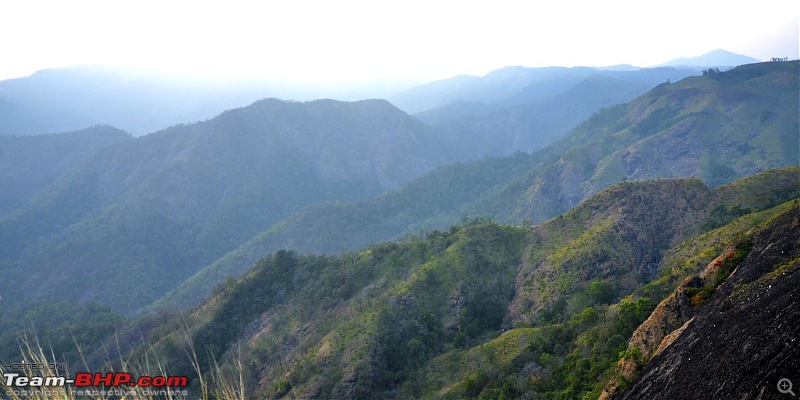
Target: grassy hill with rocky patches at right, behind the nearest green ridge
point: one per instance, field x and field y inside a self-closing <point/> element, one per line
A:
<point x="717" y="128"/>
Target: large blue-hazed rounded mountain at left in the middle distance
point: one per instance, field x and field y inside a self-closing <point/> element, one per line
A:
<point x="132" y="220"/>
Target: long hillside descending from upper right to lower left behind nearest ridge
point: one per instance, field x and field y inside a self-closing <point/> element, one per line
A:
<point x="716" y="127"/>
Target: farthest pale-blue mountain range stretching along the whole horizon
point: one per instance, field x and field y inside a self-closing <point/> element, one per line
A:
<point x="141" y="102"/>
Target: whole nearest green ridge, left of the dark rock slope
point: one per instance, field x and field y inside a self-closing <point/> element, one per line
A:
<point x="481" y="310"/>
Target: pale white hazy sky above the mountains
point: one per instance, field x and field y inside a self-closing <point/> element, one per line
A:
<point x="354" y="40"/>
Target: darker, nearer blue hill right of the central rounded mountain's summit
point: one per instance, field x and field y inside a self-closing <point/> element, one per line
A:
<point x="540" y="113"/>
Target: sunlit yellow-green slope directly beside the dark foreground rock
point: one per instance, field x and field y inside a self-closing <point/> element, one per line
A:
<point x="572" y="357"/>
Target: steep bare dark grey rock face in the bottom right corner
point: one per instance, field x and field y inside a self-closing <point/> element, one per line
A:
<point x="742" y="340"/>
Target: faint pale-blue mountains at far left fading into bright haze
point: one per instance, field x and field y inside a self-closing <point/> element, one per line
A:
<point x="140" y="101"/>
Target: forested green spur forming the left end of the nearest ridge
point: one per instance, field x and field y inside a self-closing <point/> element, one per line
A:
<point x="354" y="325"/>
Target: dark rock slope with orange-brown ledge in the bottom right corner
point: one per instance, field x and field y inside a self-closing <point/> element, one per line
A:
<point x="745" y="306"/>
